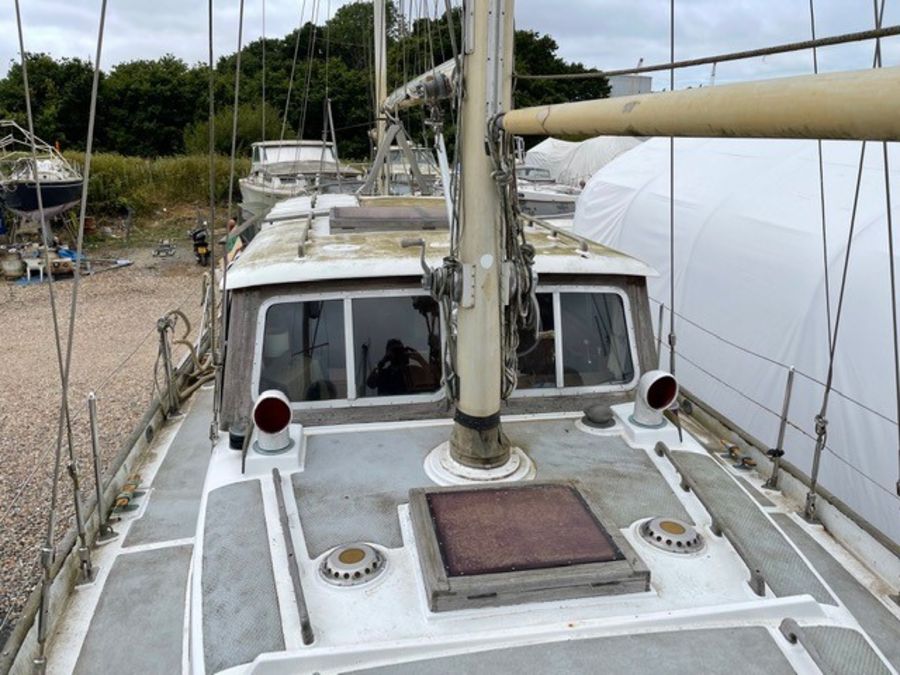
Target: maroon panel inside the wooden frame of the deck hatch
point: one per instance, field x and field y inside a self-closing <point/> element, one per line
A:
<point x="524" y="527"/>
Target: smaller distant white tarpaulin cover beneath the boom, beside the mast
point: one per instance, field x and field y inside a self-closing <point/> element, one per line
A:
<point x="574" y="163"/>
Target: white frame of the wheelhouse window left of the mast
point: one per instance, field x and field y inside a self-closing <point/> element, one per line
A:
<point x="347" y="298"/>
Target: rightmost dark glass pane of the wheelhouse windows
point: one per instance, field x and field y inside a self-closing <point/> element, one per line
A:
<point x="595" y="340"/>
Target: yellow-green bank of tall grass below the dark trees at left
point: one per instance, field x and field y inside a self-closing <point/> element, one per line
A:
<point x="147" y="185"/>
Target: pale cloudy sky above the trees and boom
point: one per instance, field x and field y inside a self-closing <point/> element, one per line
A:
<point x="599" y="33"/>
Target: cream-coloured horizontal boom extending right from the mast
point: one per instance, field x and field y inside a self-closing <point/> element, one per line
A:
<point x="858" y="105"/>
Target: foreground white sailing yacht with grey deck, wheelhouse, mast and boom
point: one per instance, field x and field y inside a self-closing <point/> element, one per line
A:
<point x="449" y="450"/>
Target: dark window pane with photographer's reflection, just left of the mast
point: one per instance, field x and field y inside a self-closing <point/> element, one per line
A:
<point x="398" y="346"/>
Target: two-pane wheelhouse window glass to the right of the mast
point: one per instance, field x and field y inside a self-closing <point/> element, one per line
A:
<point x="583" y="342"/>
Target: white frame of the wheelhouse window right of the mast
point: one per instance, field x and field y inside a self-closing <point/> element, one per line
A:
<point x="560" y="389"/>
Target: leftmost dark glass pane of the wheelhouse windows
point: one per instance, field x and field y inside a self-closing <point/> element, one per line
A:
<point x="303" y="350"/>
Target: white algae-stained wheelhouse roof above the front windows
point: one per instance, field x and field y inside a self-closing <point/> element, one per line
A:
<point x="274" y="255"/>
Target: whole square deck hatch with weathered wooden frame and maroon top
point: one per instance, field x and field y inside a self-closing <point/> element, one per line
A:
<point x="488" y="546"/>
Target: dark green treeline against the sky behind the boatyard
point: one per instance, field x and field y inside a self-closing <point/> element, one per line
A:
<point x="157" y="108"/>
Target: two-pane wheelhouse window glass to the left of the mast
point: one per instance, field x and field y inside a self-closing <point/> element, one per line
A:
<point x="352" y="348"/>
